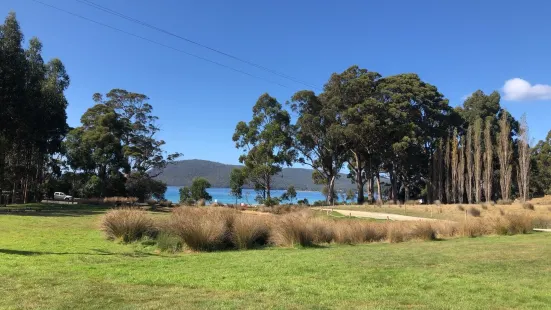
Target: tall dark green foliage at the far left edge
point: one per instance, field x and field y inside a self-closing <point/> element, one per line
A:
<point x="32" y="113"/>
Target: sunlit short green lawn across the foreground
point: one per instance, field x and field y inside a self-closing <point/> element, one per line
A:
<point x="60" y="260"/>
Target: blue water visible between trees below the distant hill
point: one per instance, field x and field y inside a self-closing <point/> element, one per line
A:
<point x="222" y="195"/>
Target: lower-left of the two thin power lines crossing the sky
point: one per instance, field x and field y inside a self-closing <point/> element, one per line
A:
<point x="160" y="44"/>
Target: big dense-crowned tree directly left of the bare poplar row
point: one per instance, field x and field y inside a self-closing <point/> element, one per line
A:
<point x="417" y="116"/>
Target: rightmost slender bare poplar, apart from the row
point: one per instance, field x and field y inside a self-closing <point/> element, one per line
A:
<point x="524" y="158"/>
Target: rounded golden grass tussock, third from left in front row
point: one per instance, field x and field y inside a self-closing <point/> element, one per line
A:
<point x="291" y="230"/>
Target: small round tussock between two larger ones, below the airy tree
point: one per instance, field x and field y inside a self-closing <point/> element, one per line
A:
<point x="249" y="231"/>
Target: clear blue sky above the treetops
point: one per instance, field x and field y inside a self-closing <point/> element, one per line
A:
<point x="459" y="46"/>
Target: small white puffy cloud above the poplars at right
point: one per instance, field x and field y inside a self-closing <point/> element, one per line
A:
<point x="520" y="90"/>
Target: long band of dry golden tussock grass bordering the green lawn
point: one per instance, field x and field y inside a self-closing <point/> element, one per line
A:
<point x="215" y="228"/>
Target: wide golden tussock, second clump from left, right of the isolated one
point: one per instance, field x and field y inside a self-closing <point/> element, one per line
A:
<point x="203" y="229"/>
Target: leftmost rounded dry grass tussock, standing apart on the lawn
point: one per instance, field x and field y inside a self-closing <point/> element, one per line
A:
<point x="127" y="224"/>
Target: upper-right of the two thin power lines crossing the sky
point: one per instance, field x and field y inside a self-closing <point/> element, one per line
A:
<point x="137" y="21"/>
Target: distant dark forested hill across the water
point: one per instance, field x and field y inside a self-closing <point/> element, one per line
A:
<point x="182" y="173"/>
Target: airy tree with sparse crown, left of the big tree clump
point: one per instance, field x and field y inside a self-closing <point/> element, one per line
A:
<point x="267" y="144"/>
